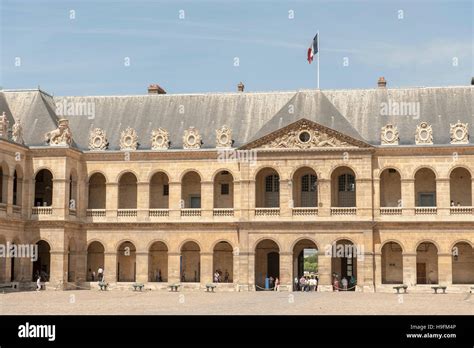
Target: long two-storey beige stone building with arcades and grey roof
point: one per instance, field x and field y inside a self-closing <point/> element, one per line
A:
<point x="163" y="189"/>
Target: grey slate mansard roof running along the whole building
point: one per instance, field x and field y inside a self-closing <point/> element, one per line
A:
<point x="356" y="113"/>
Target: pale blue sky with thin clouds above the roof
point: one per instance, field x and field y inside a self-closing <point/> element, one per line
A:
<point x="87" y="55"/>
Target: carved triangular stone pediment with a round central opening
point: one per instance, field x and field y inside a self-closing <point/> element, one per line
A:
<point x="305" y="134"/>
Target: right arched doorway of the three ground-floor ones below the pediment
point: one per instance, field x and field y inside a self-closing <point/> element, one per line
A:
<point x="344" y="263"/>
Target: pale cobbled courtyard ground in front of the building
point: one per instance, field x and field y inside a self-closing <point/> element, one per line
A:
<point x="199" y="302"/>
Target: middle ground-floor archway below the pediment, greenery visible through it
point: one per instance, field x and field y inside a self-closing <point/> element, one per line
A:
<point x="305" y="260"/>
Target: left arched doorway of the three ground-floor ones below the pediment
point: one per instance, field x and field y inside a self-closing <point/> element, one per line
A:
<point x="267" y="263"/>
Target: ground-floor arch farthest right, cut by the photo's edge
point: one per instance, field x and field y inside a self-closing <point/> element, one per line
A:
<point x="463" y="263"/>
